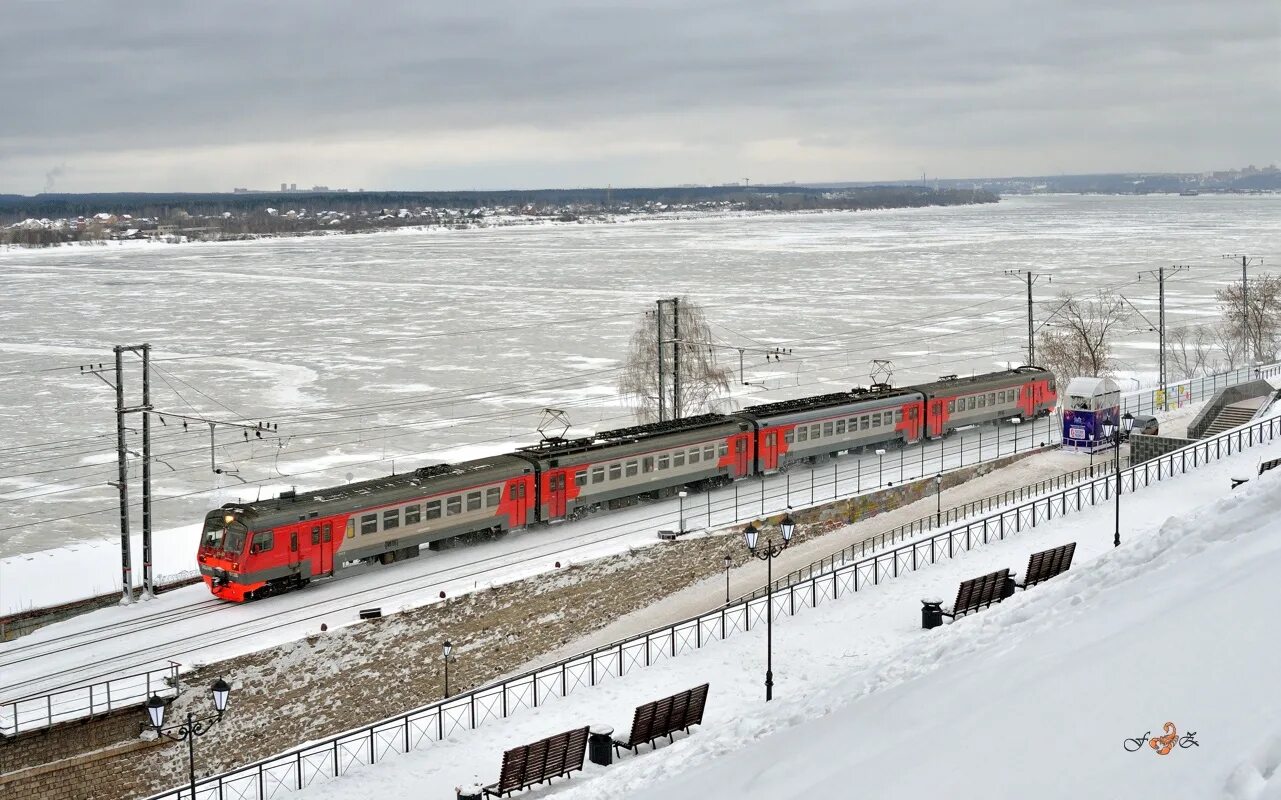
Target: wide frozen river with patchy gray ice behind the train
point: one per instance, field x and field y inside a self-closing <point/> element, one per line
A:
<point x="428" y="346"/>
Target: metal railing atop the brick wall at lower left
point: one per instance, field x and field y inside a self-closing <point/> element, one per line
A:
<point x="37" y="712"/>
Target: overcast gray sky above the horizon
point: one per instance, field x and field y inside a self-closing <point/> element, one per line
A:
<point x="179" y="95"/>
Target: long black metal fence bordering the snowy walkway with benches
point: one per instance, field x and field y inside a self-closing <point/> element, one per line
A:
<point x="314" y="764"/>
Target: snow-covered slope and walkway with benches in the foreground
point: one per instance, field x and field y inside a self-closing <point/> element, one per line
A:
<point x="1036" y="697"/>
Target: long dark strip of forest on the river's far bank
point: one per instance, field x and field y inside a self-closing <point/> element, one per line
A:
<point x="163" y="207"/>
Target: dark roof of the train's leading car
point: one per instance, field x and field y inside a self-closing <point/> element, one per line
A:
<point x="432" y="479"/>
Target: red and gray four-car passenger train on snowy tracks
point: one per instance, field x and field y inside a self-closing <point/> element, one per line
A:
<point x="254" y="550"/>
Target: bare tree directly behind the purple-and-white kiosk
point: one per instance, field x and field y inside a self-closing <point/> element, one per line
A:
<point x="1078" y="339"/>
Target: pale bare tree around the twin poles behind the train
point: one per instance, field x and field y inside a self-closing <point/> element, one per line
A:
<point x="703" y="381"/>
